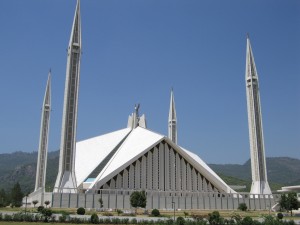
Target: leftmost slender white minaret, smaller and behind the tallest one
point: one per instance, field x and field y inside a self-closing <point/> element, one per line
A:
<point x="44" y="134"/>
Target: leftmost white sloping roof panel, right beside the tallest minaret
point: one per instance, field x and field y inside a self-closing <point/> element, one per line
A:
<point x="91" y="152"/>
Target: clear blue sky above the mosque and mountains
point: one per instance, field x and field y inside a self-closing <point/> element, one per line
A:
<point x="135" y="51"/>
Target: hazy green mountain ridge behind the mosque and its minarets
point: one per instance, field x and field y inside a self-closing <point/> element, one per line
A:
<point x="21" y="167"/>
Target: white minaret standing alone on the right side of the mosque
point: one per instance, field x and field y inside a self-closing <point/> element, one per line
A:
<point x="258" y="160"/>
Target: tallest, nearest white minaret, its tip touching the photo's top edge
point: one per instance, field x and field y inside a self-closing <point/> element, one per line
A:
<point x="66" y="180"/>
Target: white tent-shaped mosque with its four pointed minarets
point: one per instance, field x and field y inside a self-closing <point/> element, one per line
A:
<point x="136" y="158"/>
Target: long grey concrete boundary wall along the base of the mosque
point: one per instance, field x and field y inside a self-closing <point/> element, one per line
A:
<point x="119" y="199"/>
